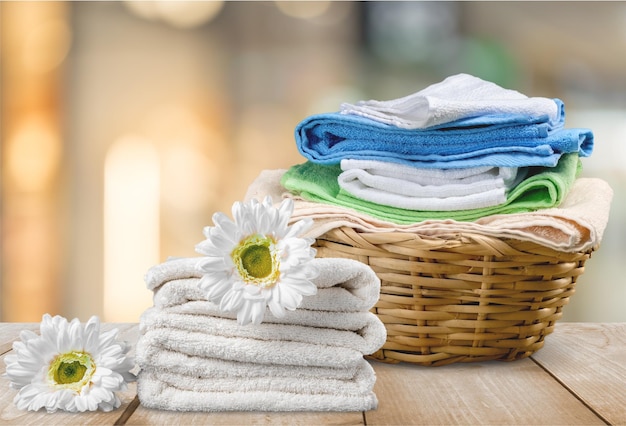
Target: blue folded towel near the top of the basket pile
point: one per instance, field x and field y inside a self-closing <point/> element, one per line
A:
<point x="491" y="140"/>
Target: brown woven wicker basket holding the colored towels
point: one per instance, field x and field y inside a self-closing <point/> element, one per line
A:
<point x="462" y="297"/>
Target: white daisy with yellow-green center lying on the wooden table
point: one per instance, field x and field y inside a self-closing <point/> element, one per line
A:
<point x="68" y="367"/>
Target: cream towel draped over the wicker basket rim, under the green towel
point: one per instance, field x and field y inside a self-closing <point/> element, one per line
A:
<point x="576" y="225"/>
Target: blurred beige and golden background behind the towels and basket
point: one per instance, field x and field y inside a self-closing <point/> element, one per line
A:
<point x="126" y="125"/>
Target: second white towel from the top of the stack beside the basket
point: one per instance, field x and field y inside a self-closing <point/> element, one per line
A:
<point x="366" y="340"/>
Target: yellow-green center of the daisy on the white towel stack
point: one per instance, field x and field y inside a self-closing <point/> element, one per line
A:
<point x="255" y="261"/>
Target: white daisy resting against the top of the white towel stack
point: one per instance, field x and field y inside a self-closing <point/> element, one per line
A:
<point x="257" y="261"/>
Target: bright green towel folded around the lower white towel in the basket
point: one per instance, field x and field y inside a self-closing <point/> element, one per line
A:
<point x="544" y="187"/>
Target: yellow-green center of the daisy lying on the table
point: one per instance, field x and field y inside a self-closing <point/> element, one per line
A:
<point x="71" y="370"/>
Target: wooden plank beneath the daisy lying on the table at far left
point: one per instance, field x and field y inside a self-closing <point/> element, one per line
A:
<point x="10" y="415"/>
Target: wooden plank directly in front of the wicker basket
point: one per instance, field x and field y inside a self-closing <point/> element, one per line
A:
<point x="518" y="392"/>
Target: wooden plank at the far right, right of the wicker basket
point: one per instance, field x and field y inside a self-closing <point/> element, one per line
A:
<point x="590" y="360"/>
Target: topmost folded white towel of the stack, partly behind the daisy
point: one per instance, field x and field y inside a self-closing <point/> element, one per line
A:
<point x="343" y="284"/>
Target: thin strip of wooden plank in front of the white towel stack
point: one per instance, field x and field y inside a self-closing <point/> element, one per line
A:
<point x="147" y="416"/>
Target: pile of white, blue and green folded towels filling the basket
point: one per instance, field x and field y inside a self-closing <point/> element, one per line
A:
<point x="462" y="149"/>
